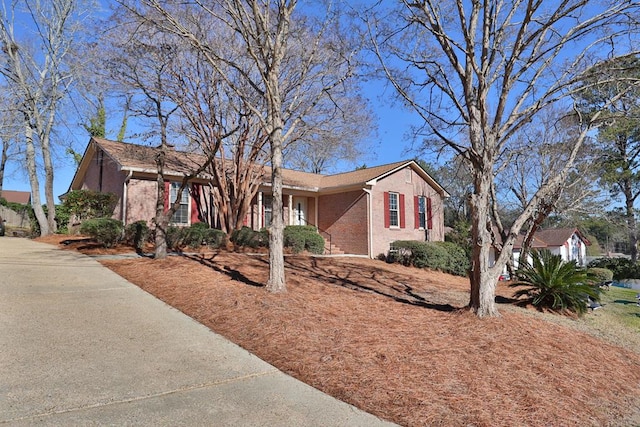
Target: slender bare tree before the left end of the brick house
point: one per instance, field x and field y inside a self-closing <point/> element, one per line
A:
<point x="146" y="63"/>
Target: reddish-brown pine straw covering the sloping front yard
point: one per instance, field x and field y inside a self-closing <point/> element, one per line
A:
<point x="397" y="341"/>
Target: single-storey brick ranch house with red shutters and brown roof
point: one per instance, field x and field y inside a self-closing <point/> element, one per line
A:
<point x="362" y="211"/>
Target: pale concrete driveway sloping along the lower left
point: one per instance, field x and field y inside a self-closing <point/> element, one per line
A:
<point x="81" y="346"/>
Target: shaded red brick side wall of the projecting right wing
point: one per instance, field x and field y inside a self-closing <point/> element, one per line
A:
<point x="344" y="216"/>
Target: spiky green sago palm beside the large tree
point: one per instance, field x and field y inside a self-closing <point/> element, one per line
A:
<point x="552" y="283"/>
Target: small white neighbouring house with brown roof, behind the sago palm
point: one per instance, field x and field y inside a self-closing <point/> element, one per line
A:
<point x="569" y="243"/>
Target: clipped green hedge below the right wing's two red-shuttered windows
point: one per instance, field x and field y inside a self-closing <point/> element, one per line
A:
<point x="444" y="256"/>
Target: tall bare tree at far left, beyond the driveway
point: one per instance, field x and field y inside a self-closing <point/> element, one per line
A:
<point x="38" y="78"/>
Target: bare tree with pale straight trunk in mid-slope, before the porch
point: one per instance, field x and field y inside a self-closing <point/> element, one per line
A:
<point x="283" y="62"/>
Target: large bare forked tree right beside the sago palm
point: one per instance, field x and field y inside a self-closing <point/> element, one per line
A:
<point x="477" y="72"/>
